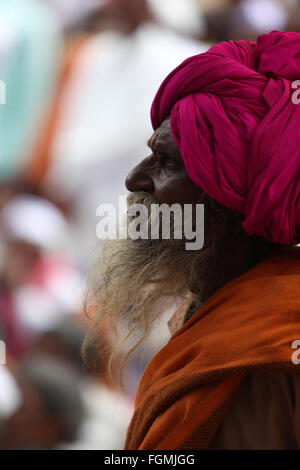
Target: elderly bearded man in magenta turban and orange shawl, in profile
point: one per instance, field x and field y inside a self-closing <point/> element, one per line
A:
<point x="226" y="136"/>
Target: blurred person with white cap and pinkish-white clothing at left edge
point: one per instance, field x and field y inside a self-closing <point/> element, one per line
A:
<point x="38" y="282"/>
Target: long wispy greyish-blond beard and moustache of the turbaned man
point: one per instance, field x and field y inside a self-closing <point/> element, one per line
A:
<point x="137" y="279"/>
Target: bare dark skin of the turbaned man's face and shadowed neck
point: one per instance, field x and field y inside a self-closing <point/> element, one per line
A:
<point x="162" y="175"/>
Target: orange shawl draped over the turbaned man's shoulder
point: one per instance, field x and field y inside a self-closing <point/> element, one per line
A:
<point x="250" y="323"/>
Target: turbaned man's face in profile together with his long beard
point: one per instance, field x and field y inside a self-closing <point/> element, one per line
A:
<point x="137" y="279"/>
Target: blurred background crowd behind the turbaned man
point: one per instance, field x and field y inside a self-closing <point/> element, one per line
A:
<point x="77" y="81"/>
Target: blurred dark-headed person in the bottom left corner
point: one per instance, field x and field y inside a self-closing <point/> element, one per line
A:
<point x="50" y="410"/>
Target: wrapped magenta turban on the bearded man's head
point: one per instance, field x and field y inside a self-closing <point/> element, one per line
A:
<point x="238" y="129"/>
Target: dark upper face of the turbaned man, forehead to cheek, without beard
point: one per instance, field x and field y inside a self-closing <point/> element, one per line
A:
<point x="163" y="174"/>
